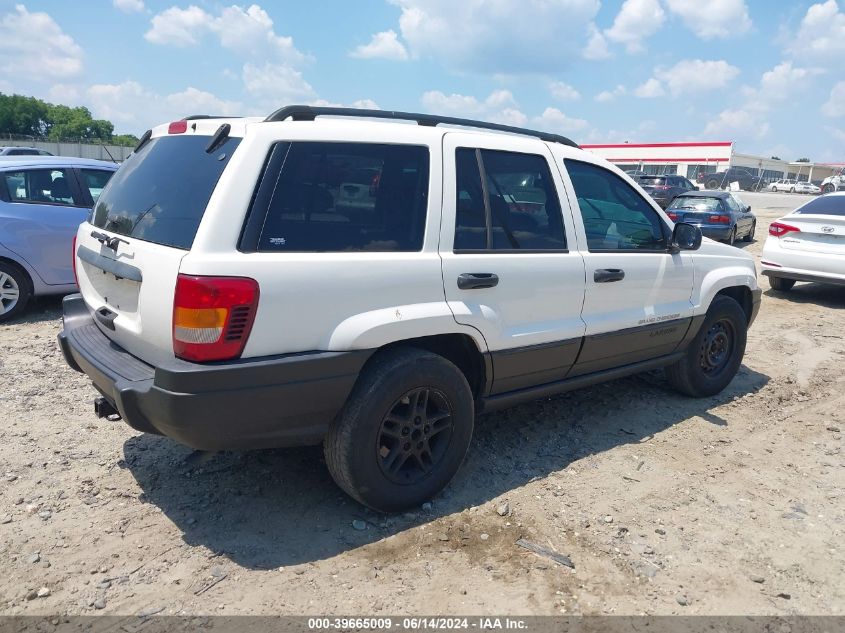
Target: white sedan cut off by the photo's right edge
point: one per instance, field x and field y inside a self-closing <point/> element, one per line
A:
<point x="808" y="244"/>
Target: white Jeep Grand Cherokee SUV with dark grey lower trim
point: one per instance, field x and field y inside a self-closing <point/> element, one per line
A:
<point x="372" y="286"/>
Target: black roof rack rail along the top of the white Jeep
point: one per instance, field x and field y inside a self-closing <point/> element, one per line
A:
<point x="309" y="113"/>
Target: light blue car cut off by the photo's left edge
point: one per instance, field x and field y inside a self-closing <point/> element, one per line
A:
<point x="43" y="200"/>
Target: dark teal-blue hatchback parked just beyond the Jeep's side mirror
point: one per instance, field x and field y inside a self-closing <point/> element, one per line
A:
<point x="716" y="213"/>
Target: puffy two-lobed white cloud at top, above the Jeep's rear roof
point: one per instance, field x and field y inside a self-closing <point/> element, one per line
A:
<point x="248" y="32"/>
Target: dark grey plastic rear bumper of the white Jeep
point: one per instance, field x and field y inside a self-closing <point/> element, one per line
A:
<point x="286" y="400"/>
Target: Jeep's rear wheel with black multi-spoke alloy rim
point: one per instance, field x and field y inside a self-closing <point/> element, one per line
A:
<point x="403" y="432"/>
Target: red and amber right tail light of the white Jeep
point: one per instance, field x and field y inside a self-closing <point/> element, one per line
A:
<point x="213" y="316"/>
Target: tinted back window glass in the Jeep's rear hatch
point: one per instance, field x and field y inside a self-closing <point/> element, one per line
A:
<point x="160" y="193"/>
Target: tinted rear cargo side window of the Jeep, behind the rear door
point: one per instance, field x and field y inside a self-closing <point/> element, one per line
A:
<point x="341" y="197"/>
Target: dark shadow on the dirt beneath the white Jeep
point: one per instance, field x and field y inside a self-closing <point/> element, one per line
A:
<point x="266" y="509"/>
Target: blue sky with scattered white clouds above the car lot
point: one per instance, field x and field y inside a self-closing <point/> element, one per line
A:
<point x="766" y="74"/>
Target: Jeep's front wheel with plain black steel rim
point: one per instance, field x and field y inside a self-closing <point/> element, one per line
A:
<point x="715" y="354"/>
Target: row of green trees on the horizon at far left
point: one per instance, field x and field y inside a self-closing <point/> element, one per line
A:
<point x="28" y="116"/>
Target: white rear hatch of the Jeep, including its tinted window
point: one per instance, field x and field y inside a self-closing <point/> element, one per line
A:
<point x="129" y="252"/>
